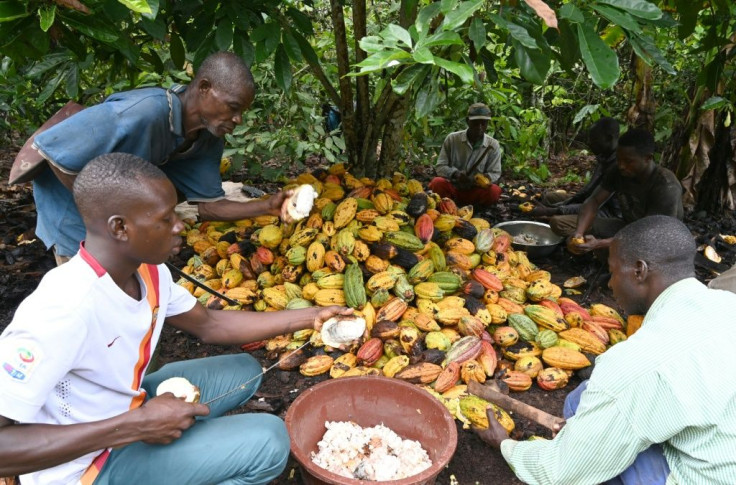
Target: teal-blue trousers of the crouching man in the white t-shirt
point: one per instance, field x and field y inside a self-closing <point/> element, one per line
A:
<point x="238" y="449"/>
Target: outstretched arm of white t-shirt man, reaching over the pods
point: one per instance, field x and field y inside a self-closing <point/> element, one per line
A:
<point x="228" y="327"/>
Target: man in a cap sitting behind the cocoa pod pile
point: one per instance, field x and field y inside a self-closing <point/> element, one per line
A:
<point x="469" y="163"/>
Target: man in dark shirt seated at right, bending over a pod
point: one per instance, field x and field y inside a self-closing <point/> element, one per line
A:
<point x="643" y="189"/>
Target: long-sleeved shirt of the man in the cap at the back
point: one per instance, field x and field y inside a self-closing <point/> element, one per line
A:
<point x="458" y="154"/>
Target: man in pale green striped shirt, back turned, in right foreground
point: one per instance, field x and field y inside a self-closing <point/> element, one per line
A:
<point x="660" y="388"/>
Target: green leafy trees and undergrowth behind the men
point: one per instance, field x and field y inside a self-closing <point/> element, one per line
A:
<point x="402" y="73"/>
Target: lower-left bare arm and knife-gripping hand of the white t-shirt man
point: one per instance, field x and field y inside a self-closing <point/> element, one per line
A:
<point x="27" y="448"/>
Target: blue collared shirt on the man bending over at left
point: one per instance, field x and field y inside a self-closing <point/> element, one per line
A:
<point x="144" y="122"/>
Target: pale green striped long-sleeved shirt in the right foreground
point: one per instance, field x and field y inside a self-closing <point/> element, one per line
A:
<point x="672" y="382"/>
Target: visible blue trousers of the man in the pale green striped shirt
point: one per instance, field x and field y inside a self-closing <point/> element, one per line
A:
<point x="650" y="466"/>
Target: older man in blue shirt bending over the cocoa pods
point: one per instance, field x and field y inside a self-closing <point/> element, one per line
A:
<point x="180" y="130"/>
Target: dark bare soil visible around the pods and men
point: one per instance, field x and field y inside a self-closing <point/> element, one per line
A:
<point x="24" y="260"/>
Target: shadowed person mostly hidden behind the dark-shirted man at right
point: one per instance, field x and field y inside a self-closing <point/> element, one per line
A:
<point x="603" y="142"/>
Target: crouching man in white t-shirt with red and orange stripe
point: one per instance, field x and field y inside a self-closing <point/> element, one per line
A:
<point x="75" y="406"/>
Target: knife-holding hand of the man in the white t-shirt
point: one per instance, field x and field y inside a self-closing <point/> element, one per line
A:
<point x="165" y="418"/>
